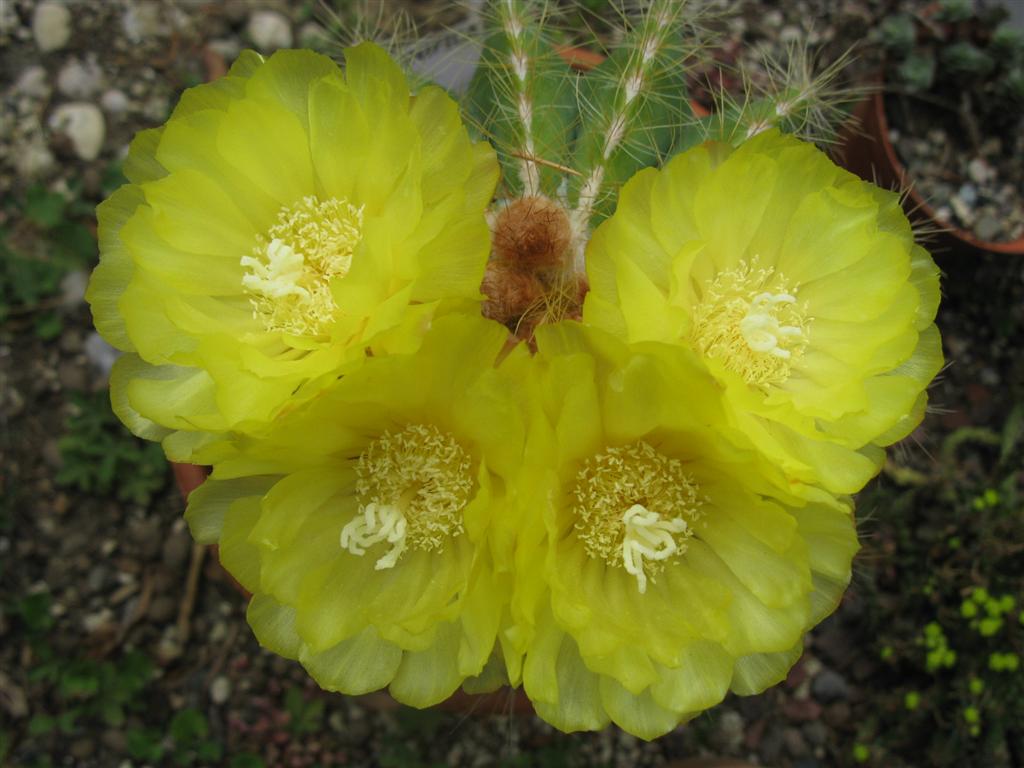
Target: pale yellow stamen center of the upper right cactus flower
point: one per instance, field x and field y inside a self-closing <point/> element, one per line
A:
<point x="751" y="321"/>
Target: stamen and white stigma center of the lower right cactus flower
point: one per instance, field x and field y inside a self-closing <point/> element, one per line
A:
<point x="634" y="509"/>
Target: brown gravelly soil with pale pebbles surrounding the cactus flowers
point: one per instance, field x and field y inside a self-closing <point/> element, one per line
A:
<point x="78" y="80"/>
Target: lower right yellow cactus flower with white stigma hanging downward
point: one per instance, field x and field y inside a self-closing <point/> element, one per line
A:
<point x="675" y="570"/>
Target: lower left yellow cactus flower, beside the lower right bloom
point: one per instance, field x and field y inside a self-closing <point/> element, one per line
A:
<point x="372" y="524"/>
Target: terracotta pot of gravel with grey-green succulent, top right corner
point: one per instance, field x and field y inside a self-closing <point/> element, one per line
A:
<point x="948" y="126"/>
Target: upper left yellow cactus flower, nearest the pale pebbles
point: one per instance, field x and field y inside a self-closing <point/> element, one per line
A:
<point x="284" y="221"/>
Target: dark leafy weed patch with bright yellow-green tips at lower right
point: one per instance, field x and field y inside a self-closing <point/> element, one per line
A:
<point x="953" y="632"/>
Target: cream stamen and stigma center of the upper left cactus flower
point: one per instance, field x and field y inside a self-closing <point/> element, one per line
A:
<point x="288" y="276"/>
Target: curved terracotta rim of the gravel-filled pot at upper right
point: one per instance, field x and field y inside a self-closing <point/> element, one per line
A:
<point x="869" y="153"/>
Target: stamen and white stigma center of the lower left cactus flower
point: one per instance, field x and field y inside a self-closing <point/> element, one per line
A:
<point x="412" y="487"/>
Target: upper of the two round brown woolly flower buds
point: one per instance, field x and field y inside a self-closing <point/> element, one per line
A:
<point x="532" y="234"/>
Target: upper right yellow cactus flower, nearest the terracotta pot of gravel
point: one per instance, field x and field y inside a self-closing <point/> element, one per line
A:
<point x="799" y="287"/>
